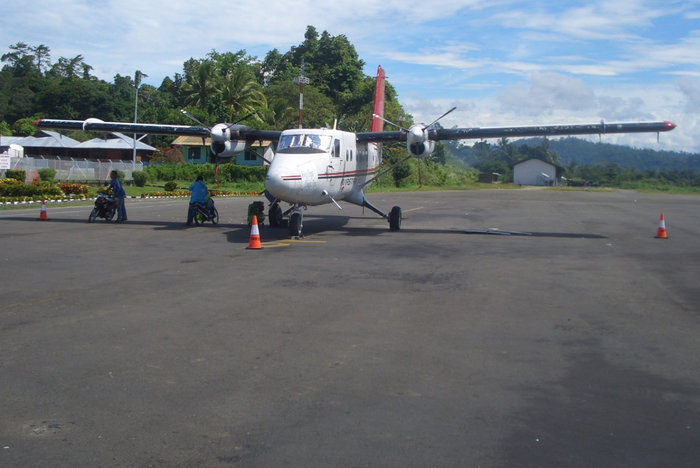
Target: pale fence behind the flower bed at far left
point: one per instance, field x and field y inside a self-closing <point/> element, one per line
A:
<point x="73" y="169"/>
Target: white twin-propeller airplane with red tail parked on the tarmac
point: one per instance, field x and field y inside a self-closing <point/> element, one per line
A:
<point x="321" y="166"/>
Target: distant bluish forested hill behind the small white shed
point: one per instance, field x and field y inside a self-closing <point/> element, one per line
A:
<point x="587" y="153"/>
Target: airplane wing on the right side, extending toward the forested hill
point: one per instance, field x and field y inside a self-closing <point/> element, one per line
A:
<point x="438" y="134"/>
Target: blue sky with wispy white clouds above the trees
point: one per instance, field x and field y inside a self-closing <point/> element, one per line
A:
<point x="501" y="62"/>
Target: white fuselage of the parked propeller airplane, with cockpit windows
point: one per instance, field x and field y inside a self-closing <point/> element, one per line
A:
<point x="317" y="166"/>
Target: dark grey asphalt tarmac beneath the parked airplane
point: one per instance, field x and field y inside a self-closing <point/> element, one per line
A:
<point x="498" y="328"/>
